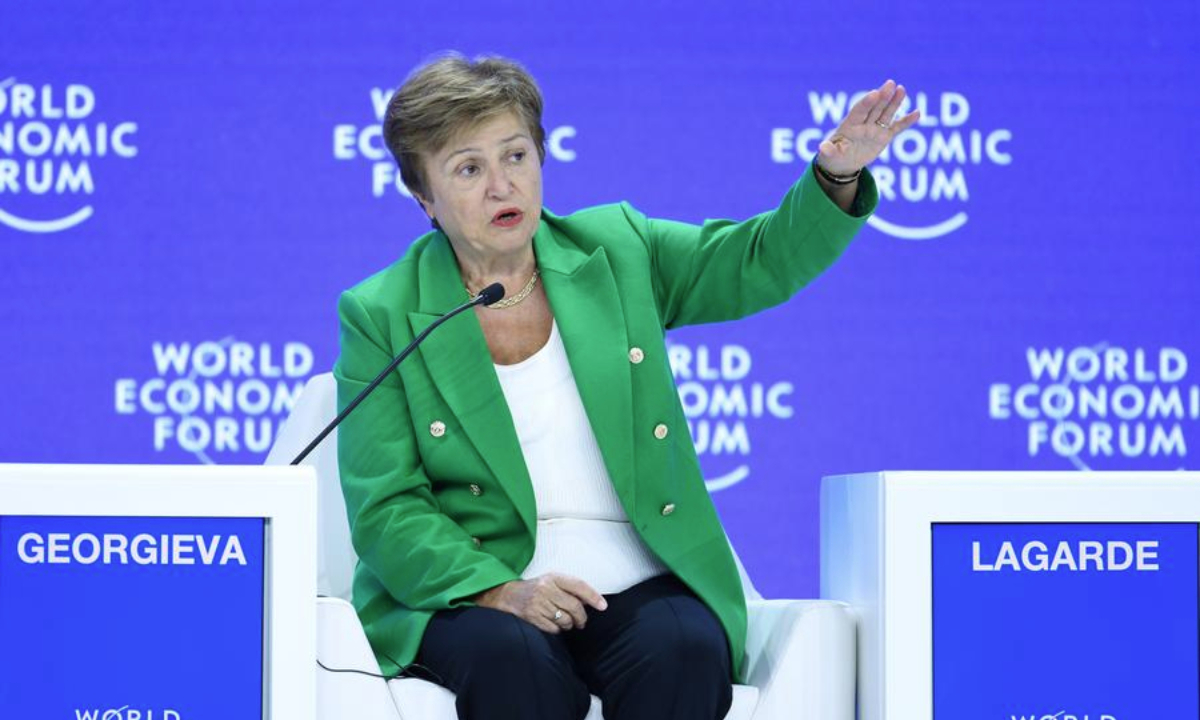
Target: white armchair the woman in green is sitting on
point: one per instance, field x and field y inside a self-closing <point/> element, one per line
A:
<point x="801" y="653"/>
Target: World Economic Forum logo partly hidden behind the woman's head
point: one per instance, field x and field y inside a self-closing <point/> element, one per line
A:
<point x="363" y="142"/>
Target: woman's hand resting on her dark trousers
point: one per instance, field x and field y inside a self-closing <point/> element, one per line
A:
<point x="537" y="602"/>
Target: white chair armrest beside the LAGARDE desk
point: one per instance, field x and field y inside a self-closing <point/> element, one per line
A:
<point x="801" y="656"/>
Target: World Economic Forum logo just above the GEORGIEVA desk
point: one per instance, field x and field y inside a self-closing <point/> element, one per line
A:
<point x="217" y="399"/>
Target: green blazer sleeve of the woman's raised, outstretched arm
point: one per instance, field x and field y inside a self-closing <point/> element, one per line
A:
<point x="724" y="271"/>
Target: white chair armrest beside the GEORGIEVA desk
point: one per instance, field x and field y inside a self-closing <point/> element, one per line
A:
<point x="343" y="646"/>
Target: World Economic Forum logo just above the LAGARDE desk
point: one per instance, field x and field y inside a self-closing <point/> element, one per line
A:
<point x="1100" y="405"/>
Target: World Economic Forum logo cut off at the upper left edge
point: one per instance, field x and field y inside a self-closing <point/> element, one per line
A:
<point x="50" y="140"/>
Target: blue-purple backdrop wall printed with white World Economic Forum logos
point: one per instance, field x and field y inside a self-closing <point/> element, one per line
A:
<point x="185" y="189"/>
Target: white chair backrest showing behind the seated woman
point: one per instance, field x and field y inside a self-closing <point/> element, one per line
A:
<point x="337" y="559"/>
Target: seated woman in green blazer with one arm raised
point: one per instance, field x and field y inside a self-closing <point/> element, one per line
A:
<point x="524" y="495"/>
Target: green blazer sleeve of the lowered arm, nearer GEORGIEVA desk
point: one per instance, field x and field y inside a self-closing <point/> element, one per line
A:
<point x="422" y="556"/>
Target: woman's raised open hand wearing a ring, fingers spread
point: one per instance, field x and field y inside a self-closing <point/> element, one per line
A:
<point x="866" y="131"/>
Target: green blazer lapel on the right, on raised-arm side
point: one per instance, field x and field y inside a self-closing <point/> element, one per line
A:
<point x="586" y="304"/>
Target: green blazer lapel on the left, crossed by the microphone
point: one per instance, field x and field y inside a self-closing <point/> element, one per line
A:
<point x="461" y="368"/>
